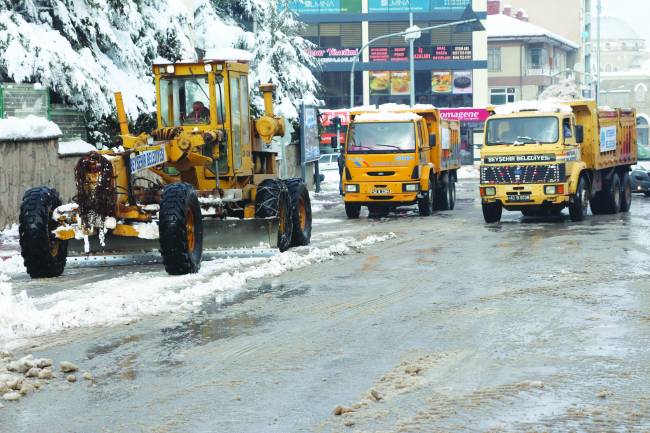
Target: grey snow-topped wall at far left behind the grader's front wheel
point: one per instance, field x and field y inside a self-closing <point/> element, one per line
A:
<point x="27" y="164"/>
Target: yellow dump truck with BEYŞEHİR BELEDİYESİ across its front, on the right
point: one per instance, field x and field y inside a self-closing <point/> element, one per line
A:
<point x="539" y="158"/>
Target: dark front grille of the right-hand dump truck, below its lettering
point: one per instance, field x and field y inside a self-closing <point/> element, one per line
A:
<point x="514" y="174"/>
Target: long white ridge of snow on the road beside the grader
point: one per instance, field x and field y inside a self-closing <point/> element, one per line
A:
<point x="125" y="298"/>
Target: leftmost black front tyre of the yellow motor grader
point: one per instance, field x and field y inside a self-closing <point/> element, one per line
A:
<point x="43" y="254"/>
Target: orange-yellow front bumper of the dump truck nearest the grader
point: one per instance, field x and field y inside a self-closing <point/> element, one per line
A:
<point x="381" y="192"/>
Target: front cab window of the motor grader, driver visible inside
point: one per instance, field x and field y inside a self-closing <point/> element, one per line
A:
<point x="185" y="101"/>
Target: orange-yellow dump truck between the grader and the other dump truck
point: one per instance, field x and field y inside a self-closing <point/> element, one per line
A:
<point x="396" y="156"/>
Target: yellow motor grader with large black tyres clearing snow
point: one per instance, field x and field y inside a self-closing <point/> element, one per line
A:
<point x="215" y="178"/>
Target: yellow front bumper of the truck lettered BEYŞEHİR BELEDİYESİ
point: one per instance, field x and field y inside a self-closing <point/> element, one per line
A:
<point x="518" y="196"/>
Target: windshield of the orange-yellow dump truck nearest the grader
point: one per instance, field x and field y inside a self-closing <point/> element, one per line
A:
<point x="381" y="137"/>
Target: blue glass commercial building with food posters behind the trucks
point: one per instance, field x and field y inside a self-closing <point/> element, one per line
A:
<point x="450" y="62"/>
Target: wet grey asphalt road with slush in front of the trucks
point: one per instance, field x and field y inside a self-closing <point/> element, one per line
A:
<point x="453" y="325"/>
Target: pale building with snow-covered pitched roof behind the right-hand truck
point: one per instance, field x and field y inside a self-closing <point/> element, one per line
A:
<point x="523" y="58"/>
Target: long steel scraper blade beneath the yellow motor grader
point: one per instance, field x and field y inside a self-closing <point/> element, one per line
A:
<point x="217" y="235"/>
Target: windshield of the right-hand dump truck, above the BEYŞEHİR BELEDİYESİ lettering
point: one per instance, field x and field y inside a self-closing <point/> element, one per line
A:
<point x="522" y="130"/>
